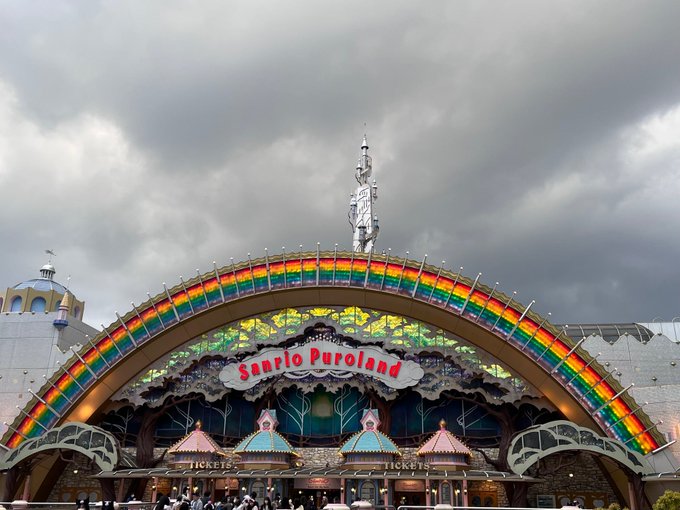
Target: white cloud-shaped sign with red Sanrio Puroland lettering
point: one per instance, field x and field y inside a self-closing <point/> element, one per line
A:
<point x="321" y="358"/>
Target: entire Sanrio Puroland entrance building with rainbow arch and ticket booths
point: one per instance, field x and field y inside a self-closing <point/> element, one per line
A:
<point x="328" y="374"/>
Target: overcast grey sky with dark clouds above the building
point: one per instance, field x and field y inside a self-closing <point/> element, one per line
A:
<point x="535" y="142"/>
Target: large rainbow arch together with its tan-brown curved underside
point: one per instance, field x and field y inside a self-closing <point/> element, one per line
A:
<point x="547" y="358"/>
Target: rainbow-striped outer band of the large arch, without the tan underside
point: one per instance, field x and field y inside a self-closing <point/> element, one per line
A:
<point x="609" y="406"/>
